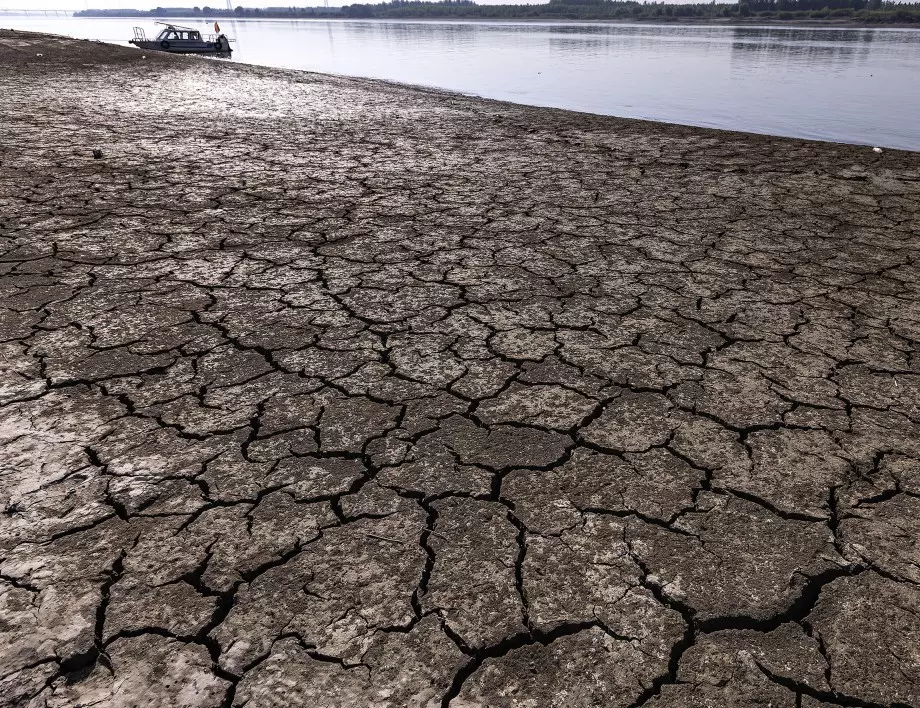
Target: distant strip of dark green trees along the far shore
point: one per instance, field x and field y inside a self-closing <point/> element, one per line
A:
<point x="857" y="11"/>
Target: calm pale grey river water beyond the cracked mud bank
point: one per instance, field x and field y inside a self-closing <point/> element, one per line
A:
<point x="847" y="85"/>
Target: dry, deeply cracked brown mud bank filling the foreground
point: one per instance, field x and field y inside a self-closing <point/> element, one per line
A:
<point x="328" y="392"/>
